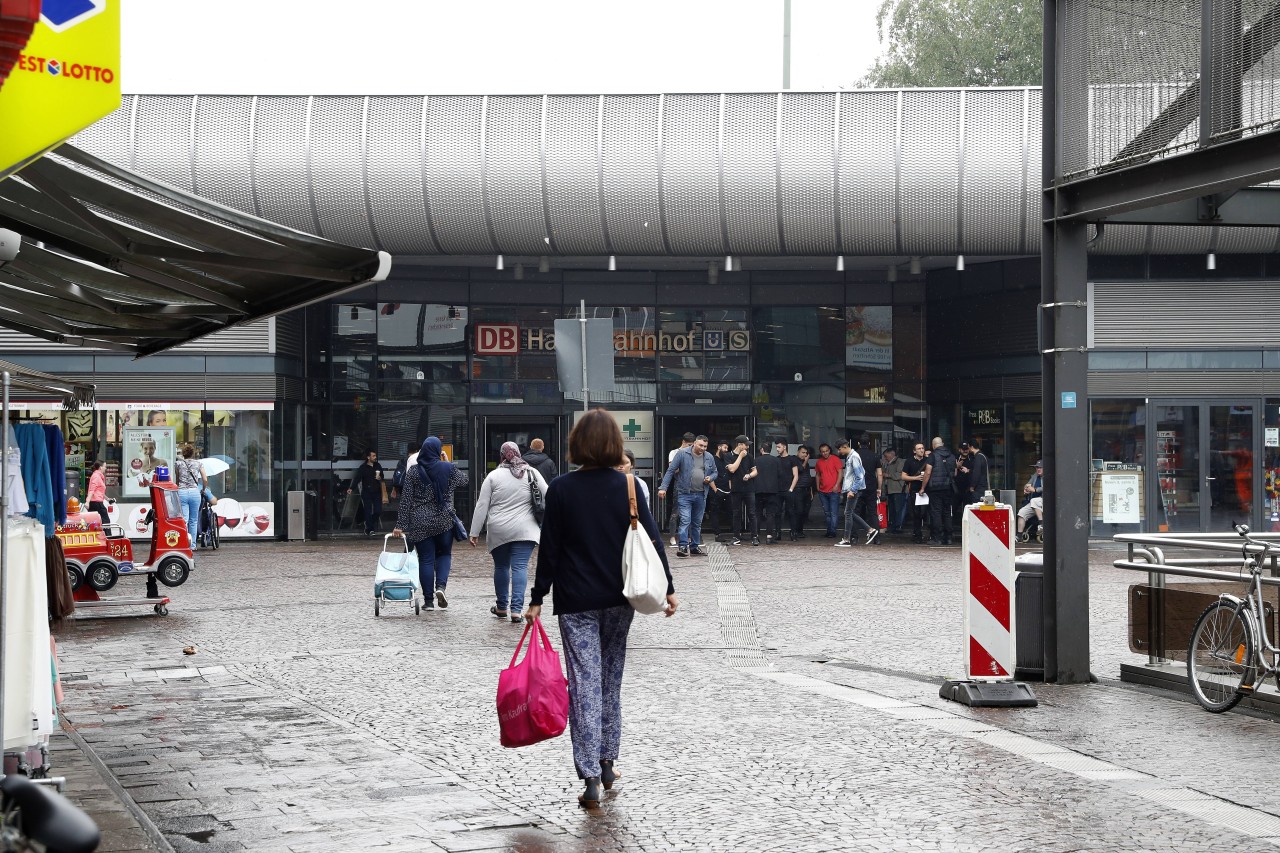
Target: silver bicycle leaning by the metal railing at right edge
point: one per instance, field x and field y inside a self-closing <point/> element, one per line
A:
<point x="1227" y="660"/>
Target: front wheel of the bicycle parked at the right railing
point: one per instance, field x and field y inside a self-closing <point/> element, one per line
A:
<point x="1220" y="659"/>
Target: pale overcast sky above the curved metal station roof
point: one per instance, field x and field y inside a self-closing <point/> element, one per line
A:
<point x="490" y="47"/>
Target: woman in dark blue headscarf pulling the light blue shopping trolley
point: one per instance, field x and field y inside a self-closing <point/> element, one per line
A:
<point x="427" y="517"/>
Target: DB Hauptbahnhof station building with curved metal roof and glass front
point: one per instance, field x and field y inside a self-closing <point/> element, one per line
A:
<point x="799" y="266"/>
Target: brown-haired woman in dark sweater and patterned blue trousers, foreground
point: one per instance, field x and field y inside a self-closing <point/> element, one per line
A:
<point x="580" y="556"/>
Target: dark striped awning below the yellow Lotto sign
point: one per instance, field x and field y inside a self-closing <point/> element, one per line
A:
<point x="112" y="259"/>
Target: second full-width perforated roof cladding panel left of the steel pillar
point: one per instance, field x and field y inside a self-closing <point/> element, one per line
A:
<point x="931" y="172"/>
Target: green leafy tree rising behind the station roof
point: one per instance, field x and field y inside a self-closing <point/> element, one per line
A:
<point x="958" y="43"/>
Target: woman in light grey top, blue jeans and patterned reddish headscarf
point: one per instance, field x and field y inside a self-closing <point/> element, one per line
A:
<point x="506" y="509"/>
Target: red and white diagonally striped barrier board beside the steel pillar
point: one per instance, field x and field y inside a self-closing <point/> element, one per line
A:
<point x="989" y="592"/>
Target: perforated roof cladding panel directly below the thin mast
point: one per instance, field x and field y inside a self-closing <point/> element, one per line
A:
<point x="807" y="165"/>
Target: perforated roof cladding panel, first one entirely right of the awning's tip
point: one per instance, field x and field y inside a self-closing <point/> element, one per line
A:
<point x="454" y="172"/>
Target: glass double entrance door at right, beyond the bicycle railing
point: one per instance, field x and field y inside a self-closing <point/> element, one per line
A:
<point x="1204" y="462"/>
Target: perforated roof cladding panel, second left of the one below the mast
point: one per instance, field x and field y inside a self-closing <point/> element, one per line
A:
<point x="691" y="174"/>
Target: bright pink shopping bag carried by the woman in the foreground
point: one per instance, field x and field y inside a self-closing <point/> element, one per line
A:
<point x="533" y="696"/>
